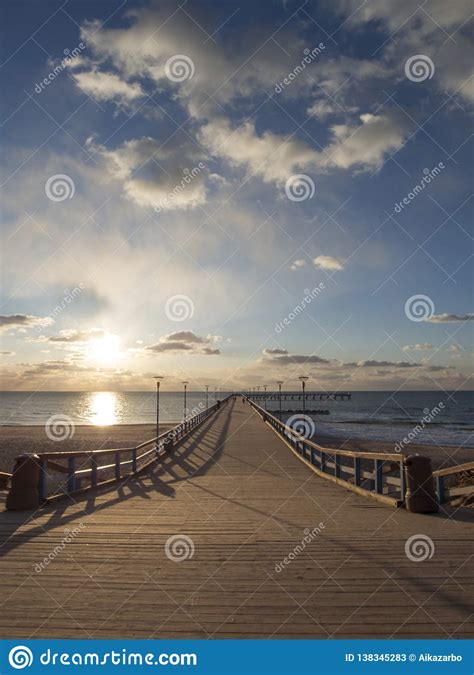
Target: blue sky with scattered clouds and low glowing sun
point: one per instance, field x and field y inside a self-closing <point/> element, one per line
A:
<point x="178" y="178"/>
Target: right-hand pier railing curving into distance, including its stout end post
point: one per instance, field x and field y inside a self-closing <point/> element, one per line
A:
<point x="393" y="478"/>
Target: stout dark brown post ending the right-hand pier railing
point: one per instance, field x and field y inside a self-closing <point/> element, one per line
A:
<point x="420" y="496"/>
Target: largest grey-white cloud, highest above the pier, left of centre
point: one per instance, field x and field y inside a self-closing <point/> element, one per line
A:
<point x="158" y="32"/>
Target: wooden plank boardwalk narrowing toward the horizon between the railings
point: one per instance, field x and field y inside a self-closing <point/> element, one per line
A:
<point x="244" y="500"/>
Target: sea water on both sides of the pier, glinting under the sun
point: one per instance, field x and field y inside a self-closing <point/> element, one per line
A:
<point x="371" y="415"/>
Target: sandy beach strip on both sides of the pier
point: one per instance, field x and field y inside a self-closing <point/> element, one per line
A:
<point x="15" y="440"/>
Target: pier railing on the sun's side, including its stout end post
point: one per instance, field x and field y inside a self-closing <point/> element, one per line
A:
<point x="47" y="476"/>
